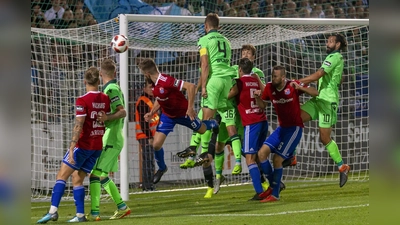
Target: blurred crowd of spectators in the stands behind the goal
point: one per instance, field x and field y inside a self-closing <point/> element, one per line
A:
<point x="62" y="14"/>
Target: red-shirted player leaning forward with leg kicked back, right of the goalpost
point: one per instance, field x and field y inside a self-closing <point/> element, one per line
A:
<point x="176" y="109"/>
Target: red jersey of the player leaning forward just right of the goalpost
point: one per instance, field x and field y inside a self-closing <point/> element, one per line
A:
<point x="167" y="91"/>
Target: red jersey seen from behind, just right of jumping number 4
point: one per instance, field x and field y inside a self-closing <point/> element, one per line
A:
<point x="247" y="105"/>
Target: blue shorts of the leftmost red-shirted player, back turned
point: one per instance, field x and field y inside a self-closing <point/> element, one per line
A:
<point x="84" y="159"/>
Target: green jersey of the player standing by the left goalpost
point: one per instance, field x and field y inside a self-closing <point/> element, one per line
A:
<point x="113" y="134"/>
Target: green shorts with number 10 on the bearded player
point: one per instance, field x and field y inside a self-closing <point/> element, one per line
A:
<point x="324" y="111"/>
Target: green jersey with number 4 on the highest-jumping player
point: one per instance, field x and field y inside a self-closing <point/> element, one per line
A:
<point x="218" y="49"/>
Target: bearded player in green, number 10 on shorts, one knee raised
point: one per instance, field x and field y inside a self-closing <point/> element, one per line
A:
<point x="324" y="106"/>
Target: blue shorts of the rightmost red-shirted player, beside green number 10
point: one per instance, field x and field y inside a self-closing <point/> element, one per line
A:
<point x="283" y="140"/>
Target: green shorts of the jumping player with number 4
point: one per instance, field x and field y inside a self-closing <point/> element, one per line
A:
<point x="217" y="93"/>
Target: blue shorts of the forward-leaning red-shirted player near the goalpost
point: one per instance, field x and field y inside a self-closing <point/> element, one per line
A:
<point x="167" y="124"/>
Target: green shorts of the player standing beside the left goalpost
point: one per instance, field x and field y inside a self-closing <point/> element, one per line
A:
<point x="108" y="160"/>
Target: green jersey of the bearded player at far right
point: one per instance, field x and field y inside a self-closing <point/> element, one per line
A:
<point x="328" y="85"/>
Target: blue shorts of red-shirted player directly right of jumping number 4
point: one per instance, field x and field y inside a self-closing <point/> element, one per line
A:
<point x="254" y="137"/>
